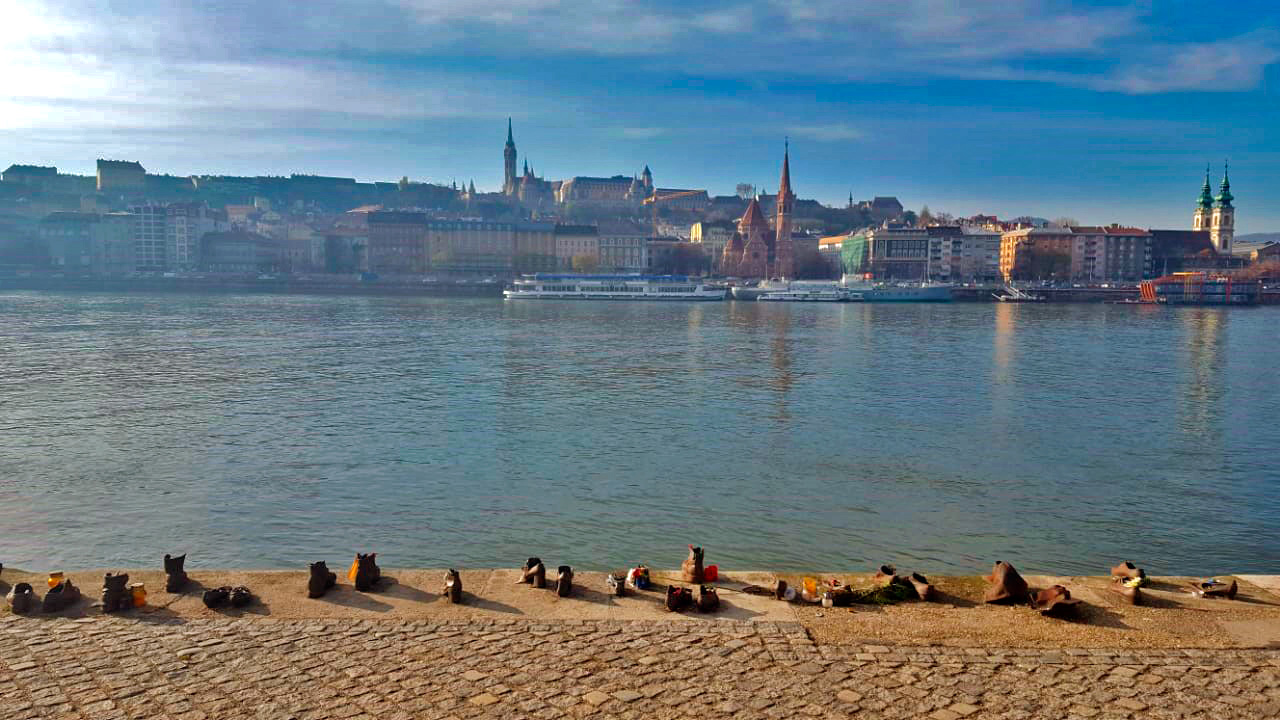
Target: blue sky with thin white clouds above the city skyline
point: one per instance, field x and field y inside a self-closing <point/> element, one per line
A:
<point x="1101" y="112"/>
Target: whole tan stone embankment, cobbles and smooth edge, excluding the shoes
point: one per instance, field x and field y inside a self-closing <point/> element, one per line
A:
<point x="514" y="651"/>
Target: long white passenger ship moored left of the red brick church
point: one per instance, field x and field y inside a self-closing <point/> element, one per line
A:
<point x="546" y="286"/>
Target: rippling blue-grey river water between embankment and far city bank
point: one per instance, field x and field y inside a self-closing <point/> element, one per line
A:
<point x="269" y="432"/>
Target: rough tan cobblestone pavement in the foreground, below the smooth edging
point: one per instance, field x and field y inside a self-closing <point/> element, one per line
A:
<point x="104" y="668"/>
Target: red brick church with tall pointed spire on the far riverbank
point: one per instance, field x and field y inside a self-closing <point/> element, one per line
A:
<point x="756" y="252"/>
